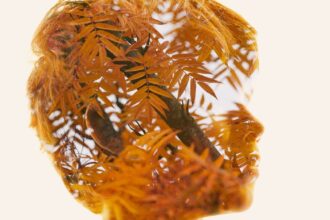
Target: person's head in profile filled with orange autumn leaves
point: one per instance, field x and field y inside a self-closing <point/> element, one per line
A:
<point x="122" y="98"/>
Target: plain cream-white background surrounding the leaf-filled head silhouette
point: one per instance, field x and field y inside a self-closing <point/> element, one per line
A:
<point x="291" y="99"/>
